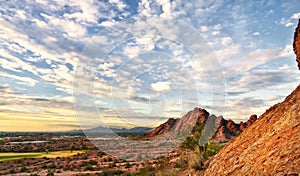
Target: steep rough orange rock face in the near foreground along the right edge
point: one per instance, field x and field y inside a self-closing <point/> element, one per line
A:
<point x="271" y="146"/>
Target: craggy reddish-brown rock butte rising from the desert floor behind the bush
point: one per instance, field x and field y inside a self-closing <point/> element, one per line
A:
<point x="224" y="130"/>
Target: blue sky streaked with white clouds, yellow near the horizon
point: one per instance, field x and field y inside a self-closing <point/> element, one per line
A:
<point x="80" y="64"/>
